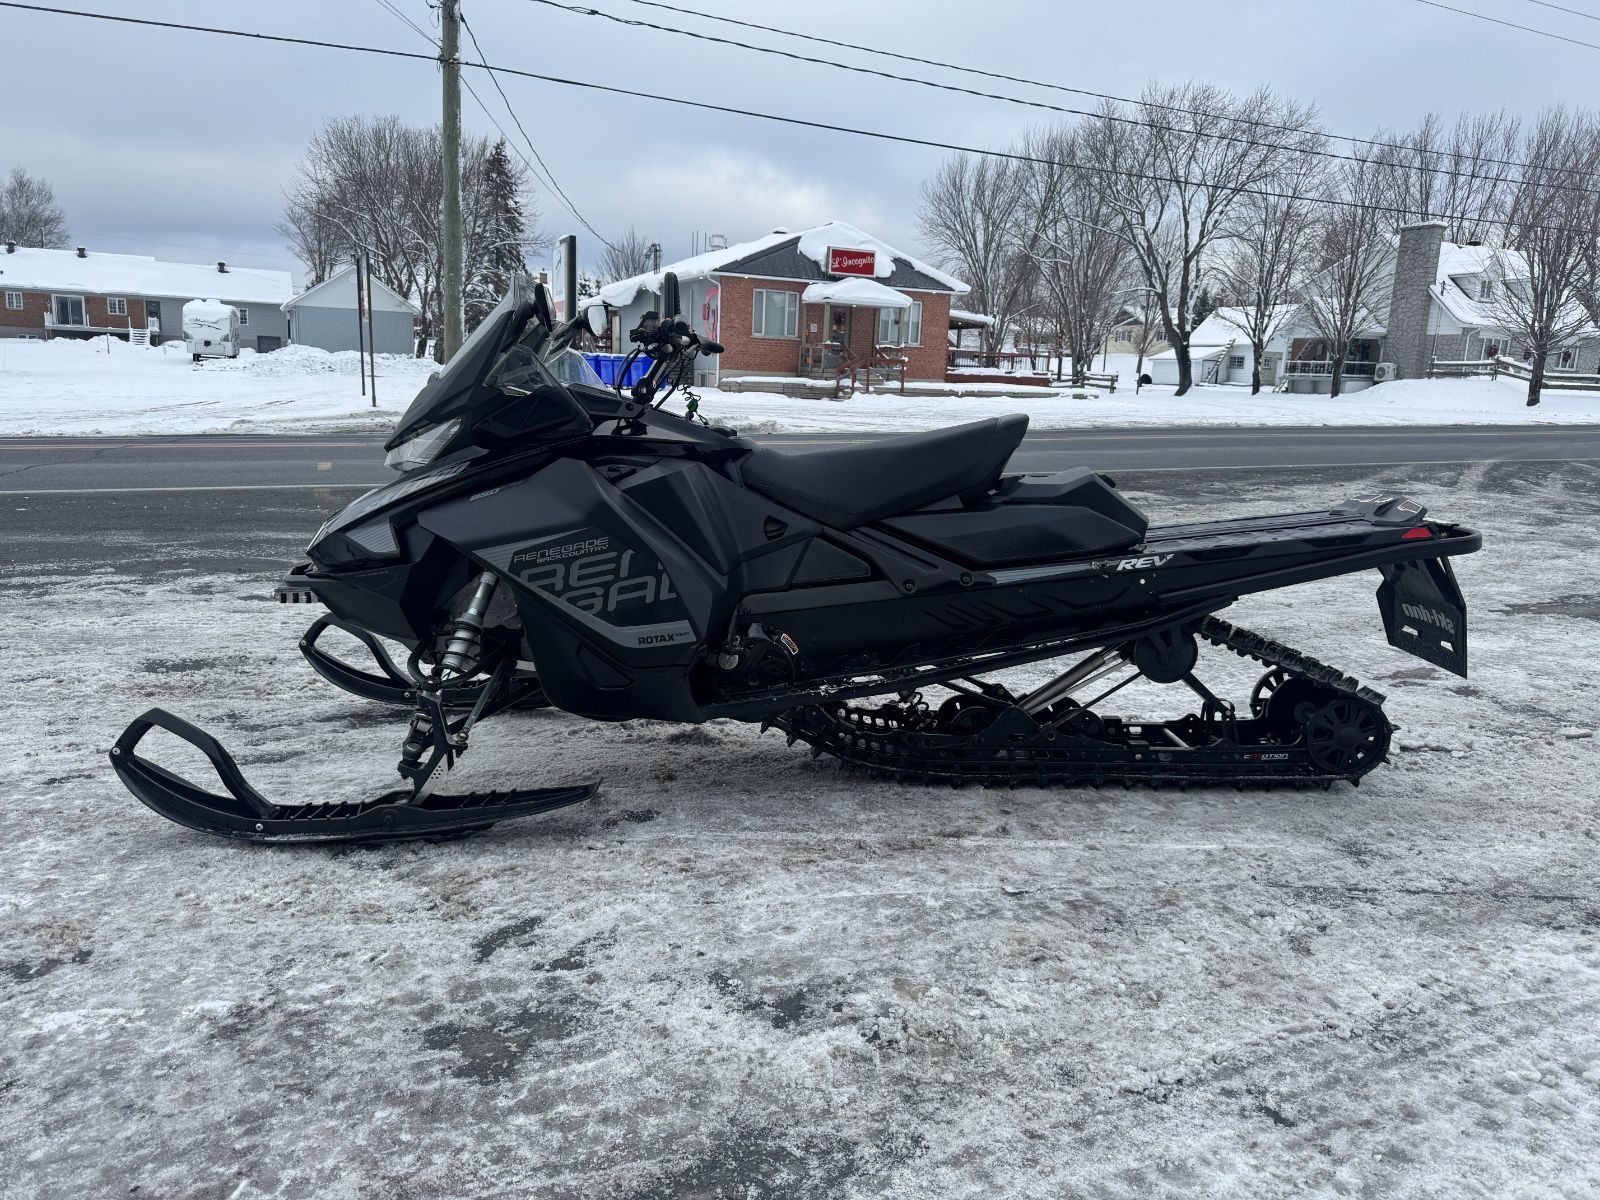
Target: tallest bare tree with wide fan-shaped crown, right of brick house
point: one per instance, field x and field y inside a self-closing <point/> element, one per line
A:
<point x="1177" y="182"/>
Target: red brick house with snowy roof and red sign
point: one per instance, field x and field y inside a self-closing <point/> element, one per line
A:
<point x="814" y="303"/>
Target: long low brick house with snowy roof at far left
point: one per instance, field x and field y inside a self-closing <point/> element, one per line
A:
<point x="81" y="294"/>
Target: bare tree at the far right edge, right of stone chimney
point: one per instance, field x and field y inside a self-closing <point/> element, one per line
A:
<point x="1535" y="289"/>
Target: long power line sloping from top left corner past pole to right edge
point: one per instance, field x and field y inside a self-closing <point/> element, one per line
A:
<point x="801" y="122"/>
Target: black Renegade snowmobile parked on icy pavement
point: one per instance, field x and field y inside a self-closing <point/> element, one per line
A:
<point x="558" y="542"/>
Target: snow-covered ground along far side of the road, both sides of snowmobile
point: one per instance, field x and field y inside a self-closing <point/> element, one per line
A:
<point x="92" y="388"/>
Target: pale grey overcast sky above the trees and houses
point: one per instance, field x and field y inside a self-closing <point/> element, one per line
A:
<point x="178" y="145"/>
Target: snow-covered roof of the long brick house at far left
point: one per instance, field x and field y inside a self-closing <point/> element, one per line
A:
<point x="140" y="276"/>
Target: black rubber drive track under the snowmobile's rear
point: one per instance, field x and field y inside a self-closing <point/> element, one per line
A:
<point x="878" y="742"/>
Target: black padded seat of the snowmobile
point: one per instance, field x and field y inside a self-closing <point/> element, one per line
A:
<point x="868" y="482"/>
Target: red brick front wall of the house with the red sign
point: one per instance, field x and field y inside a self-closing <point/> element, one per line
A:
<point x="782" y="356"/>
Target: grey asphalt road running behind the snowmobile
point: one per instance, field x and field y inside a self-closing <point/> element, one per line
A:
<point x="31" y="466"/>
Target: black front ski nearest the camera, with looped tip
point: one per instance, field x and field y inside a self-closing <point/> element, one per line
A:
<point x="249" y="817"/>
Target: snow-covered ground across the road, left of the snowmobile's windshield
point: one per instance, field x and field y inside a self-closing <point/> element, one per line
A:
<point x="86" y="388"/>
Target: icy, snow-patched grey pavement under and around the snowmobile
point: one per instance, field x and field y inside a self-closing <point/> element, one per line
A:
<point x="746" y="974"/>
